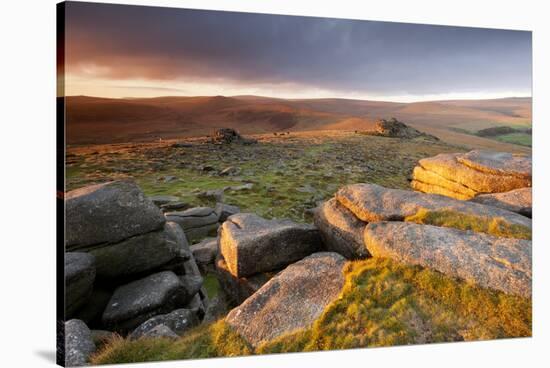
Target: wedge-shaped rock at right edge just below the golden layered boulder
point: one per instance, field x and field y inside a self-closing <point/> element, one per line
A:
<point x="517" y="200"/>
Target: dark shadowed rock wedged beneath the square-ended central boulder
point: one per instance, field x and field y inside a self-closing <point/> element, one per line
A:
<point x="238" y="289"/>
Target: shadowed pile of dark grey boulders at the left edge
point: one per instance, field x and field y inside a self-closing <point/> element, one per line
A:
<point x="124" y="265"/>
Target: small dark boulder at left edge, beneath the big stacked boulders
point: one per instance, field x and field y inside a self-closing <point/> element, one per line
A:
<point x="79" y="280"/>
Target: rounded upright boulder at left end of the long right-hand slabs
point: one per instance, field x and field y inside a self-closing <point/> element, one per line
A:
<point x="340" y="230"/>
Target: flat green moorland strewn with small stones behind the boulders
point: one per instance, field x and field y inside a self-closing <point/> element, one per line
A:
<point x="281" y="176"/>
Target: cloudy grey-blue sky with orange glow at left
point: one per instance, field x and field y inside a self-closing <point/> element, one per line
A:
<point x="136" y="51"/>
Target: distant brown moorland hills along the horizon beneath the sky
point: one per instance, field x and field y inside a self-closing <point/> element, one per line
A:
<point x="106" y="120"/>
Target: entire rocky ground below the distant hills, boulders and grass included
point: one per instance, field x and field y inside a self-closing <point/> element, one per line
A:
<point x="225" y="245"/>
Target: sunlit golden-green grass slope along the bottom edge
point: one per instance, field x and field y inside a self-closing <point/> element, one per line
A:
<point x="383" y="303"/>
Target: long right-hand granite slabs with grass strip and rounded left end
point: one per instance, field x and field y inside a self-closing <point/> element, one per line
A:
<point x="483" y="244"/>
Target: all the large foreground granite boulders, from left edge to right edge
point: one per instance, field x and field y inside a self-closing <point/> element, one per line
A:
<point x="139" y="277"/>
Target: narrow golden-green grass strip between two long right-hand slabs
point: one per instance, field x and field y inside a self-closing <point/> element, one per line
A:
<point x="493" y="226"/>
